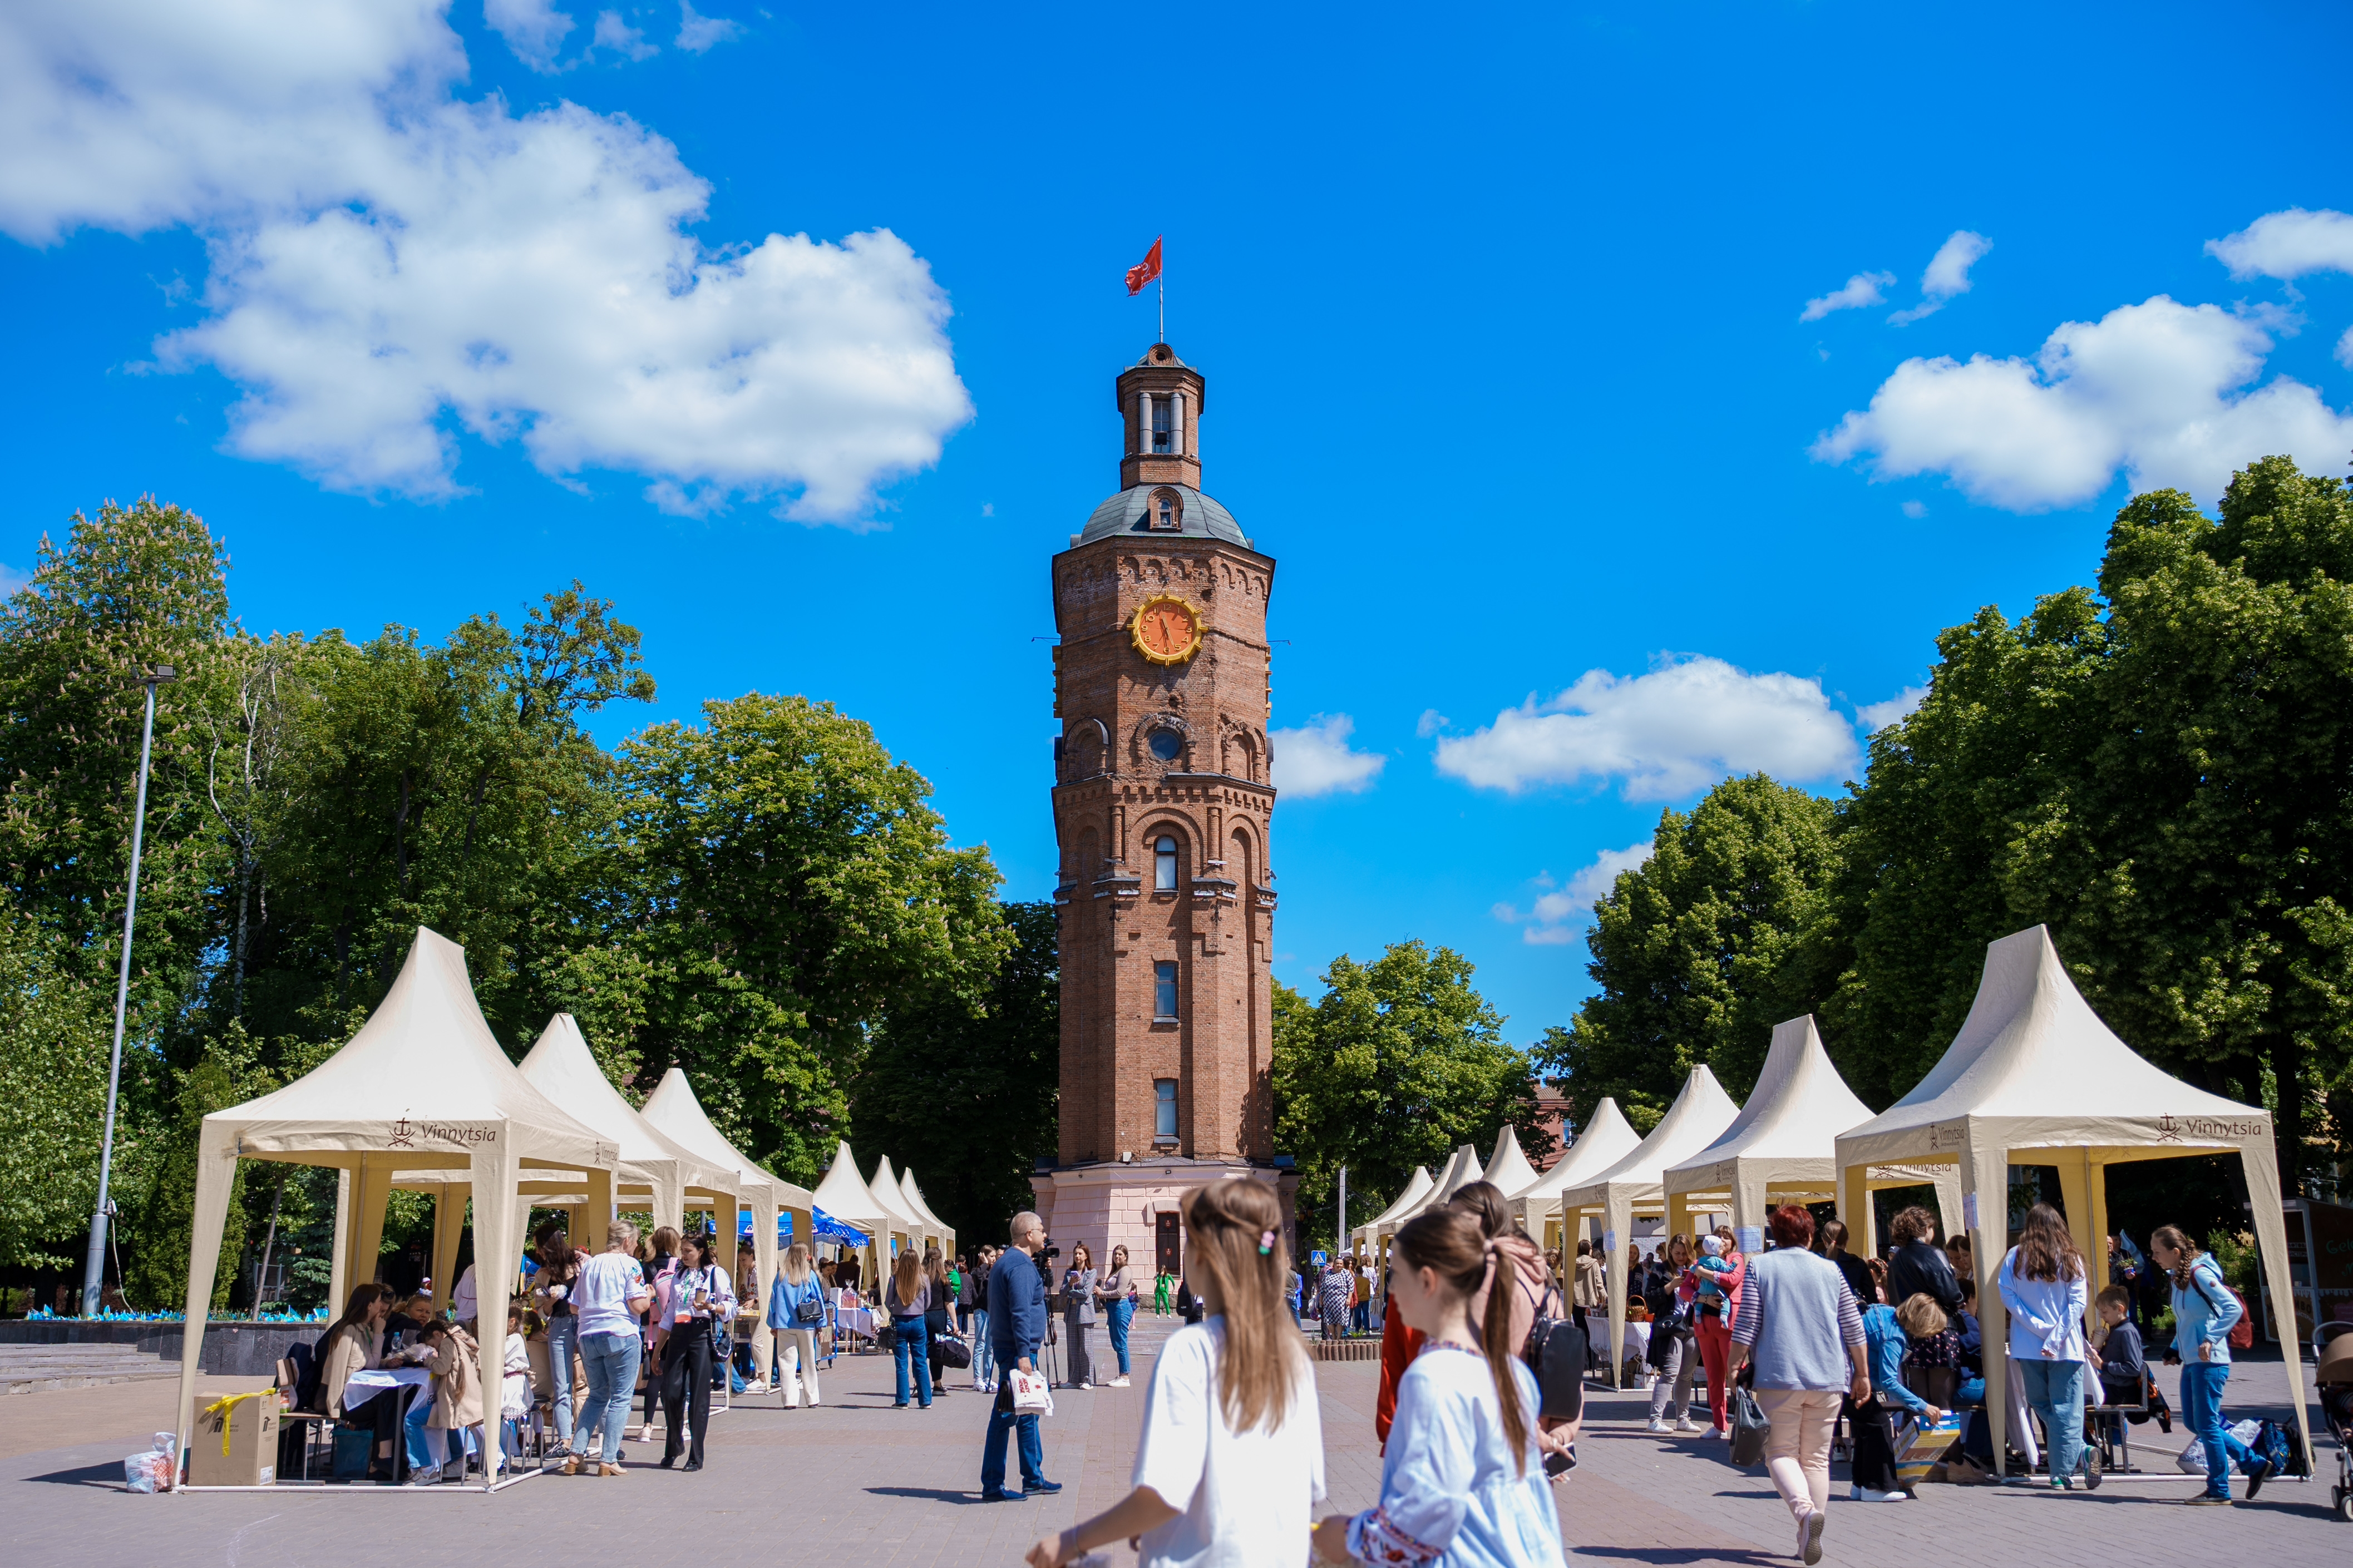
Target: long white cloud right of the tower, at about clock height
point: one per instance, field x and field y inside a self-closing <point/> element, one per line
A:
<point x="1662" y="735"/>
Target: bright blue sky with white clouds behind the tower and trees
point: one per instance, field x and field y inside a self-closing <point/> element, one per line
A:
<point x="1629" y="394"/>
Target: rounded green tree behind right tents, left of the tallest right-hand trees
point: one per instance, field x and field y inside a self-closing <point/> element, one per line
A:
<point x="1721" y="934"/>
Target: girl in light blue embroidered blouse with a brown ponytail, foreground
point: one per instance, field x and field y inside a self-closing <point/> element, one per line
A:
<point x="1462" y="1482"/>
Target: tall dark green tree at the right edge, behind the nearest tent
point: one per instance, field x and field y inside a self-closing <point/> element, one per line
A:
<point x="2201" y="864"/>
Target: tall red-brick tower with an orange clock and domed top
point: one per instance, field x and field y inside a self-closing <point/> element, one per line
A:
<point x="1161" y="810"/>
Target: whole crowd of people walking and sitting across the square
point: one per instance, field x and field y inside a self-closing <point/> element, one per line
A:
<point x="1825" y="1341"/>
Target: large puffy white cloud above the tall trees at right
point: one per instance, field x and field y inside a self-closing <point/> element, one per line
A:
<point x="2152" y="389"/>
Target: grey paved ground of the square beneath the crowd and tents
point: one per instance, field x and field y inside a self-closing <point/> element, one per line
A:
<point x="860" y="1482"/>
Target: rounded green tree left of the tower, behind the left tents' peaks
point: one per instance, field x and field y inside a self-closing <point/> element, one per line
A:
<point x="787" y="883"/>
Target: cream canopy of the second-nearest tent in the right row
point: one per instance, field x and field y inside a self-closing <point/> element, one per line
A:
<point x="1785" y="1144"/>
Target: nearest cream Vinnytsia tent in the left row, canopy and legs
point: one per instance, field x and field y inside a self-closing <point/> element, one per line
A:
<point x="422" y="1087"/>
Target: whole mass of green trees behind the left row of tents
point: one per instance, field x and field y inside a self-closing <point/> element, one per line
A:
<point x="747" y="897"/>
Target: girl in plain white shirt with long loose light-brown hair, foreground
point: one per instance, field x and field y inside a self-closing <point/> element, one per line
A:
<point x="1229" y="1463"/>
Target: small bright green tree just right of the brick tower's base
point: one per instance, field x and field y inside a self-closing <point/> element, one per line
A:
<point x="1394" y="1066"/>
